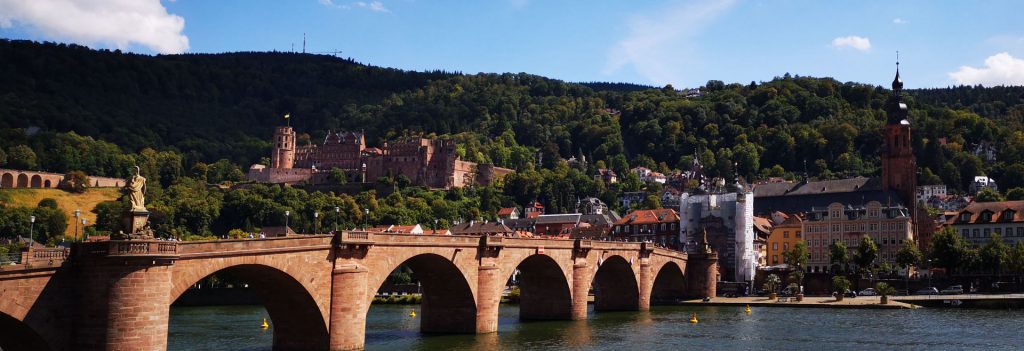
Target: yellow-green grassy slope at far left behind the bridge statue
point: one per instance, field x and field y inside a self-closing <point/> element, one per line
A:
<point x="67" y="201"/>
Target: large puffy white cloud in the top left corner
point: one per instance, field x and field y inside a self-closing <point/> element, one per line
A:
<point x="117" y="23"/>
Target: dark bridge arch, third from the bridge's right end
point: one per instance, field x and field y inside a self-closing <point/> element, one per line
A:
<point x="544" y="289"/>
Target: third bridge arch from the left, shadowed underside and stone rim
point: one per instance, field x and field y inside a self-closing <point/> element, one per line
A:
<point x="449" y="303"/>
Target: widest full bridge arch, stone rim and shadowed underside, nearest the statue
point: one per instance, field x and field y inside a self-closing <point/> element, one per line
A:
<point x="297" y="318"/>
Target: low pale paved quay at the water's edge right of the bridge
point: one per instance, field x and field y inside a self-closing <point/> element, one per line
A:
<point x="867" y="302"/>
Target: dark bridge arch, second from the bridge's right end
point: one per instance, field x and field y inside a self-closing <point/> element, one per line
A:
<point x="616" y="287"/>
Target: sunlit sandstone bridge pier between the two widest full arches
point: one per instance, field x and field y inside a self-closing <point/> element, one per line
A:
<point x="350" y="305"/>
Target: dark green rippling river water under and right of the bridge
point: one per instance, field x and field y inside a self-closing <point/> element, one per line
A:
<point x="391" y="328"/>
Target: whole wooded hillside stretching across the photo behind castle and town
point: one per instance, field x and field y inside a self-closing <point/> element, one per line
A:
<point x="212" y="107"/>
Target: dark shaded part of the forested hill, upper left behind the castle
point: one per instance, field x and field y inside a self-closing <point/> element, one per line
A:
<point x="217" y="105"/>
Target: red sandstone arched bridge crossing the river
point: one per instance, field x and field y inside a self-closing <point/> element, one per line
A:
<point x="318" y="289"/>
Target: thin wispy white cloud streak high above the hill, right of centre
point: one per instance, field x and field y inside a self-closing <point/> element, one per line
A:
<point x="658" y="46"/>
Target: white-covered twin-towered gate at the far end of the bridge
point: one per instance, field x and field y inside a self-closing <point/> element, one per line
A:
<point x="729" y="221"/>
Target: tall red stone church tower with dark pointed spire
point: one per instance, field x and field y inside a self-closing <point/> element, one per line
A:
<point x="899" y="166"/>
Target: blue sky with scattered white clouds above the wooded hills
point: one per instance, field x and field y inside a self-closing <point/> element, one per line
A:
<point x="685" y="43"/>
